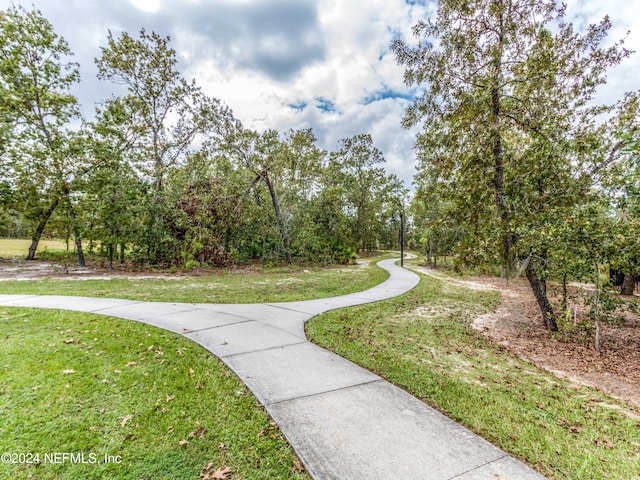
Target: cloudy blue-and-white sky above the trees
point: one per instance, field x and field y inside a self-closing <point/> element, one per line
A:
<point x="290" y="64"/>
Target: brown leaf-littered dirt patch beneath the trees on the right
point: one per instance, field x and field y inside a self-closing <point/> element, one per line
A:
<point x="517" y="325"/>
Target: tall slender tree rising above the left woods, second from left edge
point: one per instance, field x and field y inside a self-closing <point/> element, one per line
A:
<point x="171" y="115"/>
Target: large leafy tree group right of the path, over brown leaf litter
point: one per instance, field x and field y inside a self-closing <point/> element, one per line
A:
<point x="519" y="167"/>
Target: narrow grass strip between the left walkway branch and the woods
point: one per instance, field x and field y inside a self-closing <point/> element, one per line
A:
<point x="223" y="286"/>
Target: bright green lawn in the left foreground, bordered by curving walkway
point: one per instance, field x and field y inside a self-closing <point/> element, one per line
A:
<point x="157" y="402"/>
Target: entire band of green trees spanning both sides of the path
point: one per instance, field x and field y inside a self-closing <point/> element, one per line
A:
<point x="518" y="166"/>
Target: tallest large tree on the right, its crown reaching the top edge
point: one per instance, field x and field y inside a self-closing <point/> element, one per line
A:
<point x="508" y="124"/>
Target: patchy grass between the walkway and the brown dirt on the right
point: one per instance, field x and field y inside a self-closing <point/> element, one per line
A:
<point x="423" y="342"/>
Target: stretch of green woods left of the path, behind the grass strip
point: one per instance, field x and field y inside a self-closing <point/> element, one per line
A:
<point x="165" y="174"/>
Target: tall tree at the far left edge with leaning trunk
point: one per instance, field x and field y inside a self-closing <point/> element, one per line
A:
<point x="35" y="100"/>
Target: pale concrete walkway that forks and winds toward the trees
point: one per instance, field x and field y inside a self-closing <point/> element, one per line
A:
<point x="344" y="422"/>
